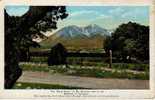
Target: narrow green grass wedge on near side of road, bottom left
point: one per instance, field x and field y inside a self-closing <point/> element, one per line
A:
<point x="23" y="85"/>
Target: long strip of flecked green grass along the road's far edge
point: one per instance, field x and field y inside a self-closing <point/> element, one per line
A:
<point x="88" y="72"/>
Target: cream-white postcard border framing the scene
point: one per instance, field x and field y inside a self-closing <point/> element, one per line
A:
<point x="117" y="93"/>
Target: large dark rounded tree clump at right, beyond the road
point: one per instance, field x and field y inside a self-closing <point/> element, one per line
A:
<point x="130" y="40"/>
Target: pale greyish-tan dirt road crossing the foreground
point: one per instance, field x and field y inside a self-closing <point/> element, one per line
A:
<point x="86" y="82"/>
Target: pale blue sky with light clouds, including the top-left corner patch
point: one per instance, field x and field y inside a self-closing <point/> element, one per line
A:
<point x="108" y="17"/>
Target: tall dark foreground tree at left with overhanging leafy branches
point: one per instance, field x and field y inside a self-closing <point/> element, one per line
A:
<point x="19" y="32"/>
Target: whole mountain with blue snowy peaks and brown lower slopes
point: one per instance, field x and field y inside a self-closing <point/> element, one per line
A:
<point x="74" y="37"/>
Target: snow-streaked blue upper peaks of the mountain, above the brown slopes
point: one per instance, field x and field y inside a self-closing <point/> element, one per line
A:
<point x="88" y="31"/>
